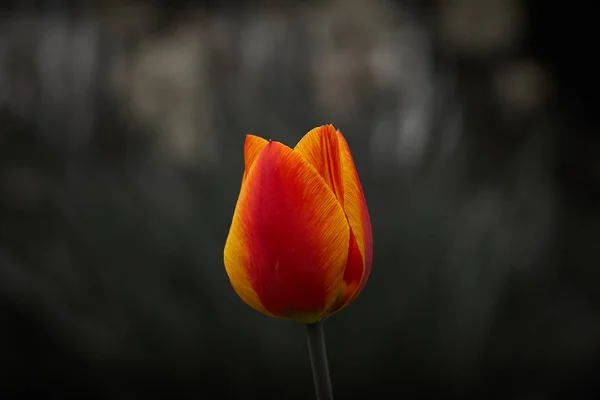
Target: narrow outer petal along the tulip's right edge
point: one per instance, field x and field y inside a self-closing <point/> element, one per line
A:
<point x="360" y="257"/>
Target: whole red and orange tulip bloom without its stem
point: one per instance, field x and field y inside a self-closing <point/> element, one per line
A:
<point x="300" y="243"/>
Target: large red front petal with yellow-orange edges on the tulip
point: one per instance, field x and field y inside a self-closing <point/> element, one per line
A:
<point x="288" y="244"/>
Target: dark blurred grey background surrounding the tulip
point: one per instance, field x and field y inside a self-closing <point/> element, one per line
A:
<point x="474" y="130"/>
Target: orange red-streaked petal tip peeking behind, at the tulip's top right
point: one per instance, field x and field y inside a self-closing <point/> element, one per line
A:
<point x="320" y="147"/>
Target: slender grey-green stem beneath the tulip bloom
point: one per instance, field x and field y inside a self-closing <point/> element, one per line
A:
<point x="318" y="361"/>
